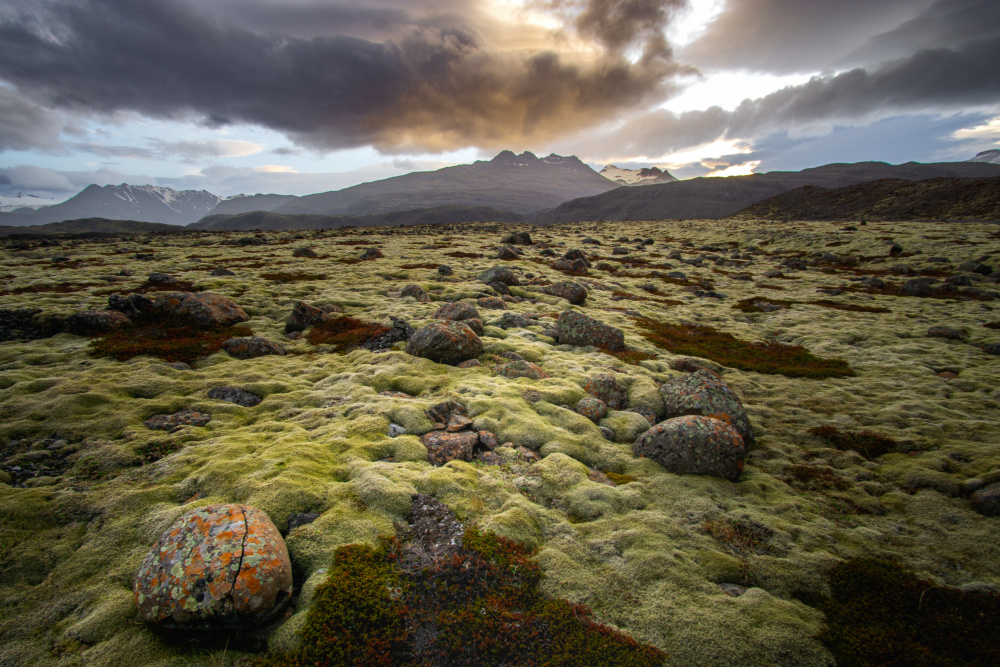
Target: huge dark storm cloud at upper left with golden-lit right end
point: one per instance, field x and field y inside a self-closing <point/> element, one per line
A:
<point x="427" y="88"/>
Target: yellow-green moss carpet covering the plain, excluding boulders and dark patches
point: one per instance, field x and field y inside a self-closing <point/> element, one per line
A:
<point x="647" y="556"/>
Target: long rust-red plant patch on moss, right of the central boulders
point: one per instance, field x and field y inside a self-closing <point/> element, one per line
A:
<point x="768" y="358"/>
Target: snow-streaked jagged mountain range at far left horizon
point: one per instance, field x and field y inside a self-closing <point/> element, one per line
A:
<point x="144" y="203"/>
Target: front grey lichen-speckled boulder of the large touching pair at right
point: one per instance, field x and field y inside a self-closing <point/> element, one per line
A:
<point x="694" y="445"/>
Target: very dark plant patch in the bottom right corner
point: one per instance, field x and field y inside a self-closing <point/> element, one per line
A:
<point x="879" y="614"/>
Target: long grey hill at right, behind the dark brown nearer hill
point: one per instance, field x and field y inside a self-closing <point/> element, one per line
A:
<point x="722" y="197"/>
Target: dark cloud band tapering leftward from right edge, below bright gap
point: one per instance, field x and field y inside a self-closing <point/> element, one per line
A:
<point x="928" y="81"/>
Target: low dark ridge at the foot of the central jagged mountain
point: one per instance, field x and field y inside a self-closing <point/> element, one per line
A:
<point x="270" y="220"/>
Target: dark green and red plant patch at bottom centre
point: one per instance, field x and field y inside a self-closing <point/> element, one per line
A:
<point x="481" y="606"/>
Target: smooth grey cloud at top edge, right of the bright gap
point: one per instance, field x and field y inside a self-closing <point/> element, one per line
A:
<point x="797" y="35"/>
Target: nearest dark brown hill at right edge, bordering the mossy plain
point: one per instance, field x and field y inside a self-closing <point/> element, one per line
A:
<point x="889" y="199"/>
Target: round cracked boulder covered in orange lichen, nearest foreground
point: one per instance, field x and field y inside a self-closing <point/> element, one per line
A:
<point x="216" y="566"/>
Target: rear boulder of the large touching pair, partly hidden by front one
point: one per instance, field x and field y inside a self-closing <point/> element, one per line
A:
<point x="704" y="393"/>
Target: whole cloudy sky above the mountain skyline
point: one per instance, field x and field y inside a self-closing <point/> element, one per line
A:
<point x="303" y="96"/>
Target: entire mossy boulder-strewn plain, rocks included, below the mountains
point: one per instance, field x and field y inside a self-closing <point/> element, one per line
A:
<point x="716" y="435"/>
